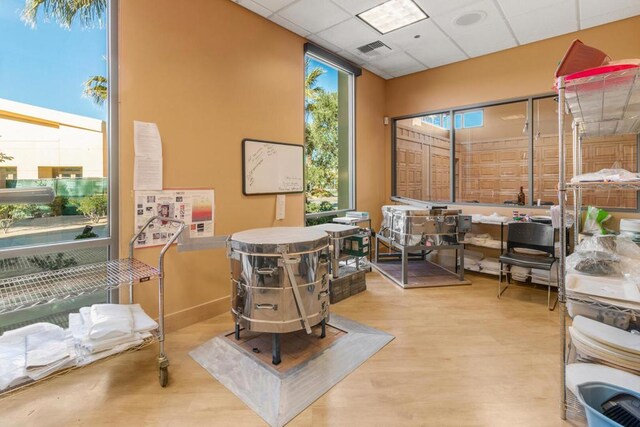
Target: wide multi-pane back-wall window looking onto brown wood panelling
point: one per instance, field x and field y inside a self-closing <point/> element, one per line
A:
<point x="501" y="152"/>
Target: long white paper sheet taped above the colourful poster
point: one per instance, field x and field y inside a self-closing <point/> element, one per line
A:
<point x="147" y="169"/>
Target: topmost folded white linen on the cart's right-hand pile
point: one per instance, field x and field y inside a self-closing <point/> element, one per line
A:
<point x="110" y="321"/>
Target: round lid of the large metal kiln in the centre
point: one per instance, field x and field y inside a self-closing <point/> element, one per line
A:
<point x="278" y="239"/>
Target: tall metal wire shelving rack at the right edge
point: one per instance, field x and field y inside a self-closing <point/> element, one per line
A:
<point x="601" y="105"/>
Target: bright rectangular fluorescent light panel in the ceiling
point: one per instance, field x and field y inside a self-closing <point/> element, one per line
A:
<point x="392" y="15"/>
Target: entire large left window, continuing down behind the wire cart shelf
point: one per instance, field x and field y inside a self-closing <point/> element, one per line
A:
<point x="54" y="135"/>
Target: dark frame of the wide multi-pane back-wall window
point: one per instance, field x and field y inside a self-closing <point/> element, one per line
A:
<point x="530" y="135"/>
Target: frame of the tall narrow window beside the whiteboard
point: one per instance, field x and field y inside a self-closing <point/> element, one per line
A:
<point x="332" y="60"/>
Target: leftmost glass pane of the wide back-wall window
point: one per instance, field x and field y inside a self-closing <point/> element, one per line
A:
<point x="423" y="160"/>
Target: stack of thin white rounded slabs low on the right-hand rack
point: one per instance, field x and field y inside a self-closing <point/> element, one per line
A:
<point x="606" y="344"/>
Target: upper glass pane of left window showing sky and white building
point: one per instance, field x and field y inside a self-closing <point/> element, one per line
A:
<point x="52" y="125"/>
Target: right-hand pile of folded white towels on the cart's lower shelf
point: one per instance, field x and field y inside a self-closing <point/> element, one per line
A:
<point x="104" y="329"/>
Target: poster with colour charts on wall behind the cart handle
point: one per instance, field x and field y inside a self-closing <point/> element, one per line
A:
<point x="194" y="207"/>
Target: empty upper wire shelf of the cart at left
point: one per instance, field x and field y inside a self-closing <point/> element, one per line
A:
<point x="27" y="291"/>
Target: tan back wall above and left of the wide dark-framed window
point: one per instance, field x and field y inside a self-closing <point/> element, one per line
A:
<point x="522" y="71"/>
